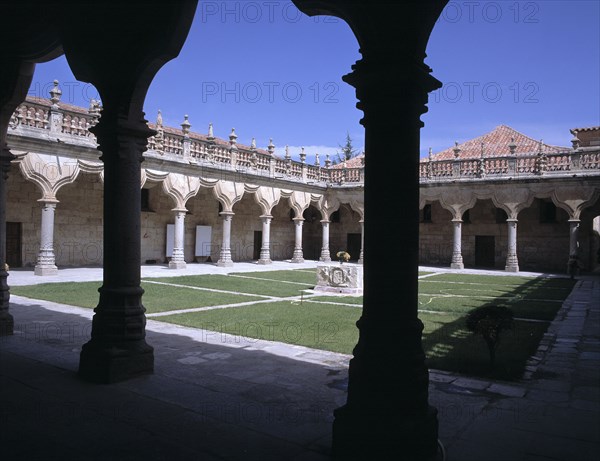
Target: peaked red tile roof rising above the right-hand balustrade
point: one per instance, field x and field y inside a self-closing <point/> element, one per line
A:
<point x="496" y="144"/>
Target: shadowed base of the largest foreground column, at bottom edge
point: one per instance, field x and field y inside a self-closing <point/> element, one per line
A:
<point x="383" y="434"/>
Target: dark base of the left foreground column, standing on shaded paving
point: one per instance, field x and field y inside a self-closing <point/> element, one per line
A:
<point x="111" y="363"/>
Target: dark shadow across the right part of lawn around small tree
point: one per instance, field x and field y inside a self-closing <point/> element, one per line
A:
<point x="450" y="346"/>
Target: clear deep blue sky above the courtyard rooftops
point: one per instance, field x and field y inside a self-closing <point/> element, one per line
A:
<point x="272" y="72"/>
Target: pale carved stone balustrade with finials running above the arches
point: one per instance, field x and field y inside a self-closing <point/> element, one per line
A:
<point x="169" y="143"/>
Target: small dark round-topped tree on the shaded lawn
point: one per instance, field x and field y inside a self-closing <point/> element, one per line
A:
<point x="489" y="321"/>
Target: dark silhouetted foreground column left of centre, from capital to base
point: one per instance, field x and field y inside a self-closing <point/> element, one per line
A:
<point x="118" y="349"/>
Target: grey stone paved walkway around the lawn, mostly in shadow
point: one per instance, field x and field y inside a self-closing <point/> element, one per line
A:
<point x="224" y="397"/>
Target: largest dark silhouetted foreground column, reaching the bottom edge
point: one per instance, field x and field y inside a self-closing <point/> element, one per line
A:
<point x="387" y="413"/>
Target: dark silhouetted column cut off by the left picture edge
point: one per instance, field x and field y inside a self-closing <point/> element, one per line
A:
<point x="6" y="319"/>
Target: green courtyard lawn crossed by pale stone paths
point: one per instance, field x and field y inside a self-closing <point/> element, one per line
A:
<point x="328" y="322"/>
